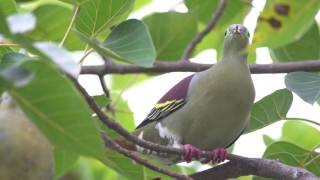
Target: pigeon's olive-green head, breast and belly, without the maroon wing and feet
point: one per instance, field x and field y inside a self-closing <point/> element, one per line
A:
<point x="218" y="102"/>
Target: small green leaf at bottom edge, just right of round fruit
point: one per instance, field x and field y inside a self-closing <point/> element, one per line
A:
<point x="63" y="161"/>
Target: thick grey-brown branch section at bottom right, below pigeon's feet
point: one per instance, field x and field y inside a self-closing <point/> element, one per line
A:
<point x="255" y="166"/>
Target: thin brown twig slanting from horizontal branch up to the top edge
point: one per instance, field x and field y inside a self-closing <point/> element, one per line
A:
<point x="198" y="38"/>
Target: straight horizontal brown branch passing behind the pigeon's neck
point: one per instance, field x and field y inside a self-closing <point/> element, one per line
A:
<point x="164" y="67"/>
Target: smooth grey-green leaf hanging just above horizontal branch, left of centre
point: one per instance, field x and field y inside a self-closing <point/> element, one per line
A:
<point x="131" y="41"/>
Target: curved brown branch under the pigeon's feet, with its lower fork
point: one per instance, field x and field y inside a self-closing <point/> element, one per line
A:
<point x="245" y="166"/>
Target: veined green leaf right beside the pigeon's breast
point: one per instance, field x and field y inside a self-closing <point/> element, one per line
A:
<point x="270" y="109"/>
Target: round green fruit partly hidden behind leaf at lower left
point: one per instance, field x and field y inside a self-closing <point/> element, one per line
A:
<point x="24" y="152"/>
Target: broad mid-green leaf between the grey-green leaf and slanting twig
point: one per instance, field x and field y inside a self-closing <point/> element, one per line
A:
<point x="171" y="33"/>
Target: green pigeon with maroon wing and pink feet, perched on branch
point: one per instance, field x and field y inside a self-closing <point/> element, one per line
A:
<point x="208" y="110"/>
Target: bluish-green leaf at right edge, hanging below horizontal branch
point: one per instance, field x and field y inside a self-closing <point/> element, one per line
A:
<point x="306" y="85"/>
